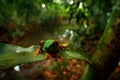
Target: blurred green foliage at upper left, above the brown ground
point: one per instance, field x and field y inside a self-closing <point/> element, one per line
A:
<point x="26" y="13"/>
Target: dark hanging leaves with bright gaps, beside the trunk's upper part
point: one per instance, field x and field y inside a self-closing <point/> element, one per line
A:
<point x="94" y="12"/>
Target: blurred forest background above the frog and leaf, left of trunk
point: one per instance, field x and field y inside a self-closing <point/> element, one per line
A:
<point x="46" y="18"/>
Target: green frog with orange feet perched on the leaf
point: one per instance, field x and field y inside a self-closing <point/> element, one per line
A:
<point x="51" y="48"/>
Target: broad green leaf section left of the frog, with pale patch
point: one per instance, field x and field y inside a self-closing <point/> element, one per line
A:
<point x="11" y="55"/>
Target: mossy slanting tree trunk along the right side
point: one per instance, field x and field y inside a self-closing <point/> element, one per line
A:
<point x="105" y="59"/>
